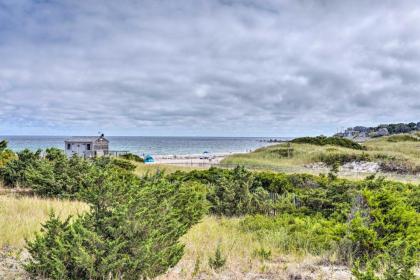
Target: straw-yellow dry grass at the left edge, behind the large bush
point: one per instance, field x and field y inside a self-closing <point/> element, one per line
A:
<point x="21" y="217"/>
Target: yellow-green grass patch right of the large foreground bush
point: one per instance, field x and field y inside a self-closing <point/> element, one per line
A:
<point x="282" y="252"/>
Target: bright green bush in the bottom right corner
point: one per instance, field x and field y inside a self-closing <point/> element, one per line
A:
<point x="384" y="236"/>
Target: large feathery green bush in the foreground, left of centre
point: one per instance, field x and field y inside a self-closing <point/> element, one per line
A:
<point x="131" y="232"/>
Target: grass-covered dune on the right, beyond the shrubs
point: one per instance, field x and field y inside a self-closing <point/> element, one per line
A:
<point x="396" y="159"/>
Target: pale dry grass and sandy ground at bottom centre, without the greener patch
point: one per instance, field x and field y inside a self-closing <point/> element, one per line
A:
<point x="241" y="262"/>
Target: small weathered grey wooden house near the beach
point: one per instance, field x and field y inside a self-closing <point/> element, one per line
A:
<point x="87" y="146"/>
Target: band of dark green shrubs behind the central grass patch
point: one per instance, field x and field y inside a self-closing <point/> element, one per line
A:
<point x="239" y="192"/>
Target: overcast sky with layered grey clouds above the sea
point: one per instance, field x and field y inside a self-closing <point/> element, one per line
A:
<point x="207" y="67"/>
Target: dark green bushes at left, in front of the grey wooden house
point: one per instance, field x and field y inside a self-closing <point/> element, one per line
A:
<point x="56" y="175"/>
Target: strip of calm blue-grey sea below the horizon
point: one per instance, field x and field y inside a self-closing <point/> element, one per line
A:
<point x="149" y="145"/>
